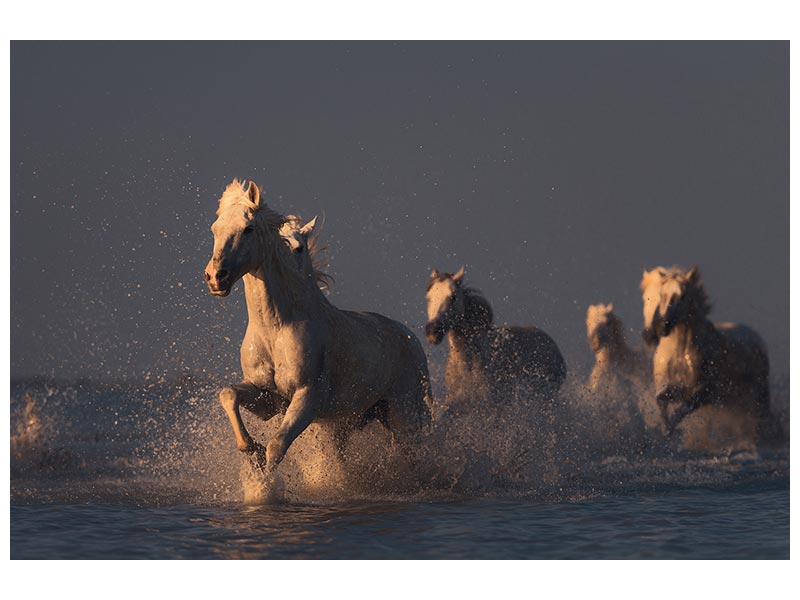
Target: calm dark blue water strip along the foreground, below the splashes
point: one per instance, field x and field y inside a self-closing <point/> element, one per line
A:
<point x="738" y="522"/>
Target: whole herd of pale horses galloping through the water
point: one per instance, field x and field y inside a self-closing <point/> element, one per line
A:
<point x="311" y="362"/>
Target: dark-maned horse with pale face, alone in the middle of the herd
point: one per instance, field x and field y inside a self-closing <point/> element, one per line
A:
<point x="487" y="364"/>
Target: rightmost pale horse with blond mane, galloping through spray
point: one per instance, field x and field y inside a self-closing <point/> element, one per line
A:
<point x="720" y="370"/>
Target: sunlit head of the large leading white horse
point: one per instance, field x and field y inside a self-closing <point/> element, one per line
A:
<point x="236" y="244"/>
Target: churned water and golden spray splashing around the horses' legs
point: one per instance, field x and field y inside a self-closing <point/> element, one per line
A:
<point x="161" y="444"/>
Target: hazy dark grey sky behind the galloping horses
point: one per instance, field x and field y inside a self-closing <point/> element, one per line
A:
<point x="554" y="171"/>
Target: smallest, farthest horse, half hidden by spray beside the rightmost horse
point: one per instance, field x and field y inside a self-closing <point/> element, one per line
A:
<point x="620" y="379"/>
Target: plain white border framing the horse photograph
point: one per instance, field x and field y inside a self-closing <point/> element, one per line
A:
<point x="147" y="19"/>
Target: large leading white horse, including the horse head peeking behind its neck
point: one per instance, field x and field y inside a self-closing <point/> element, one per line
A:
<point x="301" y="355"/>
